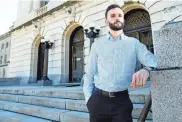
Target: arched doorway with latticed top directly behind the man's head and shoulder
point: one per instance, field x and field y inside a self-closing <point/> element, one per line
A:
<point x="138" y="25"/>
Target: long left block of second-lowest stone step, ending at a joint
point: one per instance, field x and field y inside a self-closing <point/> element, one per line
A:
<point x="32" y="110"/>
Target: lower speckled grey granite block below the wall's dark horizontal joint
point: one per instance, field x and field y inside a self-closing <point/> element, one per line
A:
<point x="166" y="95"/>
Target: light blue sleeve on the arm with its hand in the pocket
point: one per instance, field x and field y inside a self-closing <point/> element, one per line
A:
<point x="90" y="72"/>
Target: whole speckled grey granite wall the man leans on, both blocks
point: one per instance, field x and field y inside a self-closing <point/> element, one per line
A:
<point x="166" y="83"/>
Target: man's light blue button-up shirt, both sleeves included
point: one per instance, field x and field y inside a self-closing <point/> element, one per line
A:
<point x="112" y="63"/>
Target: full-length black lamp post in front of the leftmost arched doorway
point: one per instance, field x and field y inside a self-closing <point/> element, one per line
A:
<point x="47" y="45"/>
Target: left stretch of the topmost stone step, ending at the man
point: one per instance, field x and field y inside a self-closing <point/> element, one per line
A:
<point x="58" y="92"/>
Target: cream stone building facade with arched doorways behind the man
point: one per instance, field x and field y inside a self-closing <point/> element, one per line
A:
<point x="64" y="22"/>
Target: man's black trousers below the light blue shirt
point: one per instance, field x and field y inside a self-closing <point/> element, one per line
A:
<point x="109" y="109"/>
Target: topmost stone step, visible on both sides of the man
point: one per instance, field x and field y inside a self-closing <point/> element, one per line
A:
<point x="137" y="96"/>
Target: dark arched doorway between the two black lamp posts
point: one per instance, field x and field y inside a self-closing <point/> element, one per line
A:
<point x="76" y="62"/>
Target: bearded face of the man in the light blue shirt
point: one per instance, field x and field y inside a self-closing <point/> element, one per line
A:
<point x="115" y="19"/>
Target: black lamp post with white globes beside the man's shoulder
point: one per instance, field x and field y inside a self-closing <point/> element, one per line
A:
<point x="92" y="32"/>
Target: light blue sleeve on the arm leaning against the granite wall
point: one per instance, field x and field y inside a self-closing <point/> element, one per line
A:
<point x="145" y="56"/>
